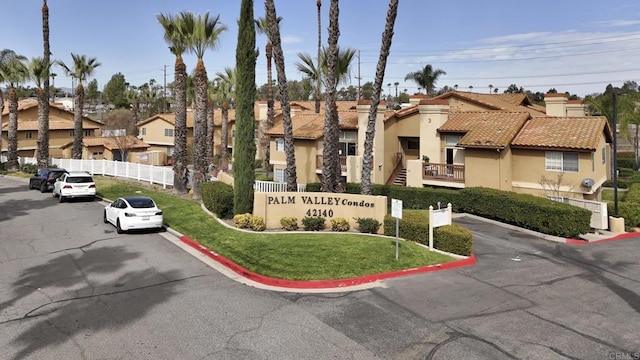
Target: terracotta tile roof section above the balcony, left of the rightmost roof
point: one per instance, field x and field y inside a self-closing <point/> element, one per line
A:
<point x="485" y="129"/>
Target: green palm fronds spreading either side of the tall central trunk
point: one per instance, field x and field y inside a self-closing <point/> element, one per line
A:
<point x="311" y="70"/>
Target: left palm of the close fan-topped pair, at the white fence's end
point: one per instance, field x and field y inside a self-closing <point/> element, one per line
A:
<point x="175" y="37"/>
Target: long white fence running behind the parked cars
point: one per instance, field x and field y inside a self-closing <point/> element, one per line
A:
<point x="147" y="173"/>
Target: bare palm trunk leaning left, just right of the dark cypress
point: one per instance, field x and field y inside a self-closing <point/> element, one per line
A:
<point x="278" y="57"/>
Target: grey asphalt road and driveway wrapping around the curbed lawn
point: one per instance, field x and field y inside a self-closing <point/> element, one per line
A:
<point x="70" y="287"/>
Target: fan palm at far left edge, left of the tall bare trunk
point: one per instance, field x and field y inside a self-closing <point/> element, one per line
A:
<point x="13" y="71"/>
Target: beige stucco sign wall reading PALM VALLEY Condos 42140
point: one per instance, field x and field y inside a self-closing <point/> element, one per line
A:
<point x="274" y="206"/>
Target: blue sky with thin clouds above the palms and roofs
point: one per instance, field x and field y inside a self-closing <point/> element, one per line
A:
<point x="570" y="45"/>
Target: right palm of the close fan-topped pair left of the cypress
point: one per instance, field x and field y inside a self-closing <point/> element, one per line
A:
<point x="205" y="34"/>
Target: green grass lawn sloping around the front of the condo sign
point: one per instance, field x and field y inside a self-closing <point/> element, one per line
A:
<point x="307" y="256"/>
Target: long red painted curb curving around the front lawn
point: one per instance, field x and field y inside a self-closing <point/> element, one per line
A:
<point x="320" y="284"/>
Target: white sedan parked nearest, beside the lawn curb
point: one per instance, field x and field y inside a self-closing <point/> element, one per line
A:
<point x="135" y="212"/>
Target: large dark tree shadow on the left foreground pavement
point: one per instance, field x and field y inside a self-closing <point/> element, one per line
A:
<point x="82" y="292"/>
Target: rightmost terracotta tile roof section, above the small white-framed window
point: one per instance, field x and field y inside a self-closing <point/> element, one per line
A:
<point x="579" y="133"/>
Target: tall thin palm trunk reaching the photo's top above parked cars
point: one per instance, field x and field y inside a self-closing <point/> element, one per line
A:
<point x="43" y="101"/>
